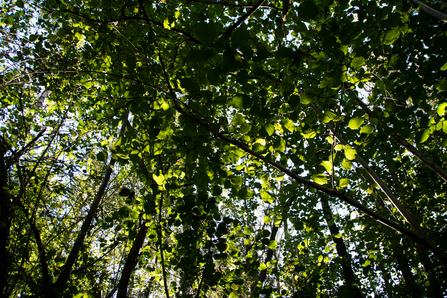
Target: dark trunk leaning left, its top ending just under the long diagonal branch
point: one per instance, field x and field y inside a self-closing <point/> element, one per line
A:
<point x="348" y="273"/>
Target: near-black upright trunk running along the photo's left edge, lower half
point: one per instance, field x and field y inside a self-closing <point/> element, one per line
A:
<point x="5" y="222"/>
